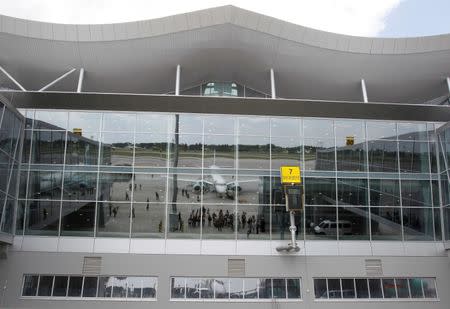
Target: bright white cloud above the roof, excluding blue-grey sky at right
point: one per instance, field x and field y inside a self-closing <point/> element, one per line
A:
<point x="354" y="17"/>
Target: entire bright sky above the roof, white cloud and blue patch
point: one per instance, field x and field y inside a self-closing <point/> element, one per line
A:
<point x="355" y="17"/>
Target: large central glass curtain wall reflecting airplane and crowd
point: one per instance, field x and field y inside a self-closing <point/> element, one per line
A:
<point x="217" y="177"/>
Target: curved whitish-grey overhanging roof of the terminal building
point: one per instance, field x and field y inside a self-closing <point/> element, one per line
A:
<point x="224" y="43"/>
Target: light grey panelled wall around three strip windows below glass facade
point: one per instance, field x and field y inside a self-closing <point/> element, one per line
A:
<point x="164" y="266"/>
